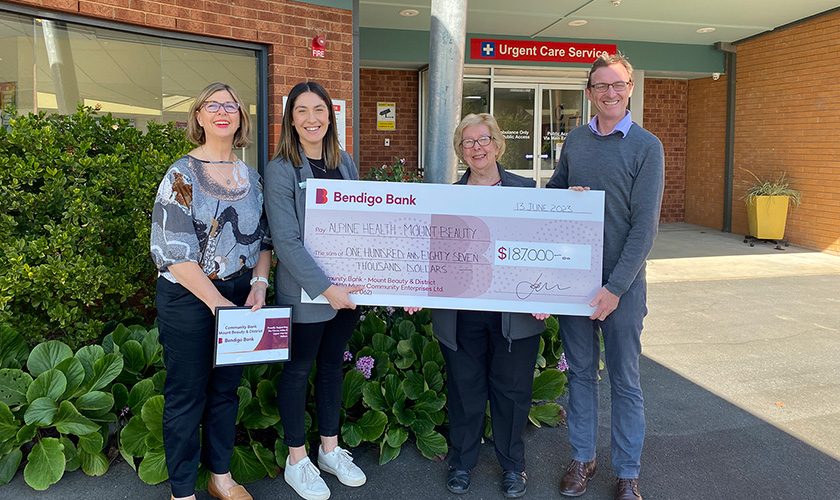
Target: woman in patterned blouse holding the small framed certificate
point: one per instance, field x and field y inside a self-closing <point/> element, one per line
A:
<point x="211" y="246"/>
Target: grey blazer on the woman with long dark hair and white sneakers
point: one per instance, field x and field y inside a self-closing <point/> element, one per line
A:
<point x="285" y="204"/>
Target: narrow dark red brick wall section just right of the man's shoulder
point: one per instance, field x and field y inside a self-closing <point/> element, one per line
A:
<point x="666" y="106"/>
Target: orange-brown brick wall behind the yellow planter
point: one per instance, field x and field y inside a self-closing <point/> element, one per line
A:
<point x="787" y="118"/>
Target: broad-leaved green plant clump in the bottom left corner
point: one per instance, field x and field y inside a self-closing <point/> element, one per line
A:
<point x="58" y="405"/>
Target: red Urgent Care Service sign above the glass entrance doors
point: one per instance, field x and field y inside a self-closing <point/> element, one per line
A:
<point x="534" y="51"/>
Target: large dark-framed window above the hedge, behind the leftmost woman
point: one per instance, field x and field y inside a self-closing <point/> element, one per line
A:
<point x="52" y="65"/>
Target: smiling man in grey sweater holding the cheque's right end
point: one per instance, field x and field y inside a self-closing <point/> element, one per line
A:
<point x="627" y="162"/>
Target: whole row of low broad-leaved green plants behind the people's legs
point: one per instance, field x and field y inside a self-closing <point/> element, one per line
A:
<point x="61" y="411"/>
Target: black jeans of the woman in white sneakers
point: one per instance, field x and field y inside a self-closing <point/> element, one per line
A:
<point x="324" y="342"/>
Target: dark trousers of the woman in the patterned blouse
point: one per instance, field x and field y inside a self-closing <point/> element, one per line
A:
<point x="195" y="393"/>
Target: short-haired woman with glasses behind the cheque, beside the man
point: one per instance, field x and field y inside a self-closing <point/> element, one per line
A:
<point x="488" y="355"/>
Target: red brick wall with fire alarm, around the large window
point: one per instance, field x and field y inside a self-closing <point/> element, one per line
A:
<point x="286" y="27"/>
